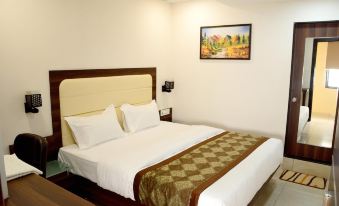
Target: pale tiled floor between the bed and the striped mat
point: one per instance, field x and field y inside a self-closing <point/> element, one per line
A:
<point x="281" y="193"/>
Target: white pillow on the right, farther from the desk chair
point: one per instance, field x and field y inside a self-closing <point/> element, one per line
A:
<point x="136" y="118"/>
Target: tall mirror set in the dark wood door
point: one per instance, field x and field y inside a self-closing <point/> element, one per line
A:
<point x="319" y="92"/>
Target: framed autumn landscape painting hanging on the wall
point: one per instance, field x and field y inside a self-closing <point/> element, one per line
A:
<point x="226" y="42"/>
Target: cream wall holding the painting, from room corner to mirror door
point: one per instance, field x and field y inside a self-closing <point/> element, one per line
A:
<point x="242" y="95"/>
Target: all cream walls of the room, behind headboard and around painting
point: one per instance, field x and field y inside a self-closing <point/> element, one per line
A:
<point x="41" y="35"/>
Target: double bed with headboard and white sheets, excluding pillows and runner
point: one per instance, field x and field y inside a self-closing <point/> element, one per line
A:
<point x="117" y="173"/>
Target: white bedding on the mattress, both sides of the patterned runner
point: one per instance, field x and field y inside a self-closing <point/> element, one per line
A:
<point x="126" y="156"/>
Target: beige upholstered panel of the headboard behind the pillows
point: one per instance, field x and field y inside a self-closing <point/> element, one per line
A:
<point x="86" y="96"/>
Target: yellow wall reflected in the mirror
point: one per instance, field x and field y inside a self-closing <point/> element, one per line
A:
<point x="324" y="99"/>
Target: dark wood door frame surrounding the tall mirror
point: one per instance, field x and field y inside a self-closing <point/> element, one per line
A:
<point x="294" y="149"/>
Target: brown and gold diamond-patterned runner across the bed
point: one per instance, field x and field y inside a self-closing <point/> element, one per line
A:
<point x="180" y="179"/>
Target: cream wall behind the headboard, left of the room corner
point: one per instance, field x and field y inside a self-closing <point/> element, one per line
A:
<point x="41" y="35"/>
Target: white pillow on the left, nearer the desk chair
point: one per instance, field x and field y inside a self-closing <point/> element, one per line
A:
<point x="95" y="129"/>
